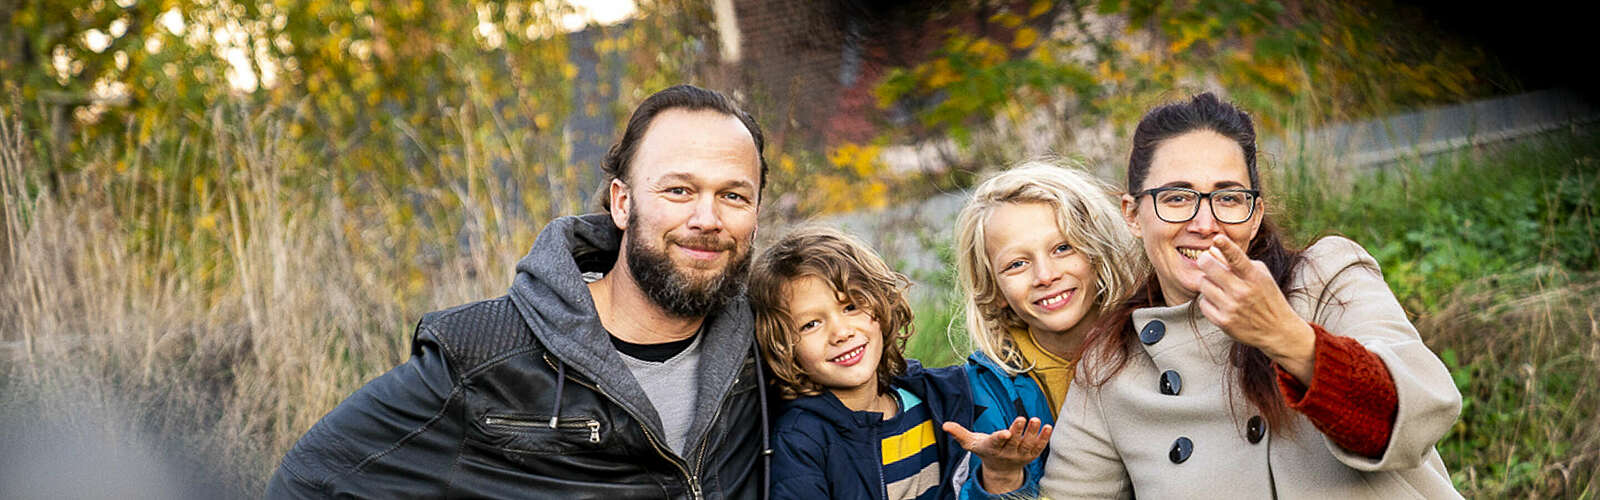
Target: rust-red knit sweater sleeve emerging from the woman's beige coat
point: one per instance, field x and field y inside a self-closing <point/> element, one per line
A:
<point x="1351" y="398"/>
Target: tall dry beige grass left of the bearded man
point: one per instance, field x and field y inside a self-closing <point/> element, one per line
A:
<point x="225" y="310"/>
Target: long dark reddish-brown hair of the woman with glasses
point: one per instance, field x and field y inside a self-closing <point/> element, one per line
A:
<point x="1108" y="344"/>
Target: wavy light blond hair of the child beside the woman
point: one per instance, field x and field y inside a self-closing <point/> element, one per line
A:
<point x="1087" y="217"/>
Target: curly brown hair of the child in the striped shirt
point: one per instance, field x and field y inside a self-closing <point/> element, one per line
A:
<point x="854" y="272"/>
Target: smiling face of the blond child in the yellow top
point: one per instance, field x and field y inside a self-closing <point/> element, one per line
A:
<point x="1044" y="280"/>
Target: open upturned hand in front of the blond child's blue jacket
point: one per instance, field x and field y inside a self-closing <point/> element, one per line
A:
<point x="1004" y="453"/>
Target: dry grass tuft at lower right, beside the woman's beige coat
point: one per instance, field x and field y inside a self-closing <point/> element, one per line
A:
<point x="1526" y="353"/>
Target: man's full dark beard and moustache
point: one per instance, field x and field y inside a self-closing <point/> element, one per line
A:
<point x="676" y="291"/>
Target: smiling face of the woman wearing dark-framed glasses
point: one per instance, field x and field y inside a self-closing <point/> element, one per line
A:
<point x="1204" y="161"/>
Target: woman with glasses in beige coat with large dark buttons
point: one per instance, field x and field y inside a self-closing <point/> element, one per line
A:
<point x="1246" y="368"/>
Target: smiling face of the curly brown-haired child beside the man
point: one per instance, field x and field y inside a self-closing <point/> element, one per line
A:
<point x="838" y="344"/>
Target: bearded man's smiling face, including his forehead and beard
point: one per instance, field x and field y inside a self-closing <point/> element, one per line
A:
<point x="689" y="211"/>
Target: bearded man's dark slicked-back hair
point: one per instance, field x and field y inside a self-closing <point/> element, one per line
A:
<point x="620" y="159"/>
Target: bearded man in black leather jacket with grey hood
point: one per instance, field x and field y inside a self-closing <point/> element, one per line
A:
<point x="622" y="365"/>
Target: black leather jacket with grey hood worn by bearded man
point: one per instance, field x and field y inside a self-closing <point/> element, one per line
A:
<point x="471" y="413"/>
